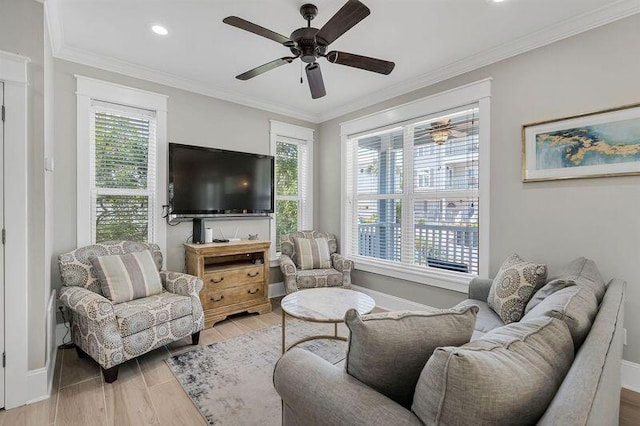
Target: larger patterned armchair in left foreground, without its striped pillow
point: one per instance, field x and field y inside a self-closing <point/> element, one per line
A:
<point x="114" y="333"/>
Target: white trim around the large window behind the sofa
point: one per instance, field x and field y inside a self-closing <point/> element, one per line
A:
<point x="478" y="92"/>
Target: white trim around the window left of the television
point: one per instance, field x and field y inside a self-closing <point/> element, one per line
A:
<point x="88" y="89"/>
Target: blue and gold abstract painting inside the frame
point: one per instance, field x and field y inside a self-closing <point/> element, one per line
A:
<point x="593" y="145"/>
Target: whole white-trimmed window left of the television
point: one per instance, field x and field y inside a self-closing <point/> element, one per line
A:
<point x="121" y="163"/>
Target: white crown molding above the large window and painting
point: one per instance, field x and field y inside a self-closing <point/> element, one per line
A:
<point x="545" y="36"/>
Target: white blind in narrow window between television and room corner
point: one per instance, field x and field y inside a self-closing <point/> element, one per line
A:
<point x="292" y="186"/>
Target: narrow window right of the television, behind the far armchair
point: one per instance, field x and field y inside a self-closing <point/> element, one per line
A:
<point x="292" y="147"/>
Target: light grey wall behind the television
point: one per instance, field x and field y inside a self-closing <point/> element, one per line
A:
<point x="191" y="119"/>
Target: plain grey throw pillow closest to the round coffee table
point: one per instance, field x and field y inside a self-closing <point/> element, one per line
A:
<point x="387" y="351"/>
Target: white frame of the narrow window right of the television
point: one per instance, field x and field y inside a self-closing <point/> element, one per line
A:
<point x="292" y="133"/>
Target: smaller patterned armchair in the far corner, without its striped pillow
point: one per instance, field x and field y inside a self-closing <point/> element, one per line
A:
<point x="339" y="275"/>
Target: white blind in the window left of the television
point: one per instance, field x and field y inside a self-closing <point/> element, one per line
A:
<point x="122" y="172"/>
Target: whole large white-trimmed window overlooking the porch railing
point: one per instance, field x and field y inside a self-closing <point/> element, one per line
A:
<point x="413" y="197"/>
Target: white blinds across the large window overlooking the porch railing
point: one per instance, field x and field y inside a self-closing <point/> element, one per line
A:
<point x="412" y="192"/>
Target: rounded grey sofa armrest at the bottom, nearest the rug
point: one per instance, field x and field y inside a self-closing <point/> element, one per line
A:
<point x="318" y="393"/>
